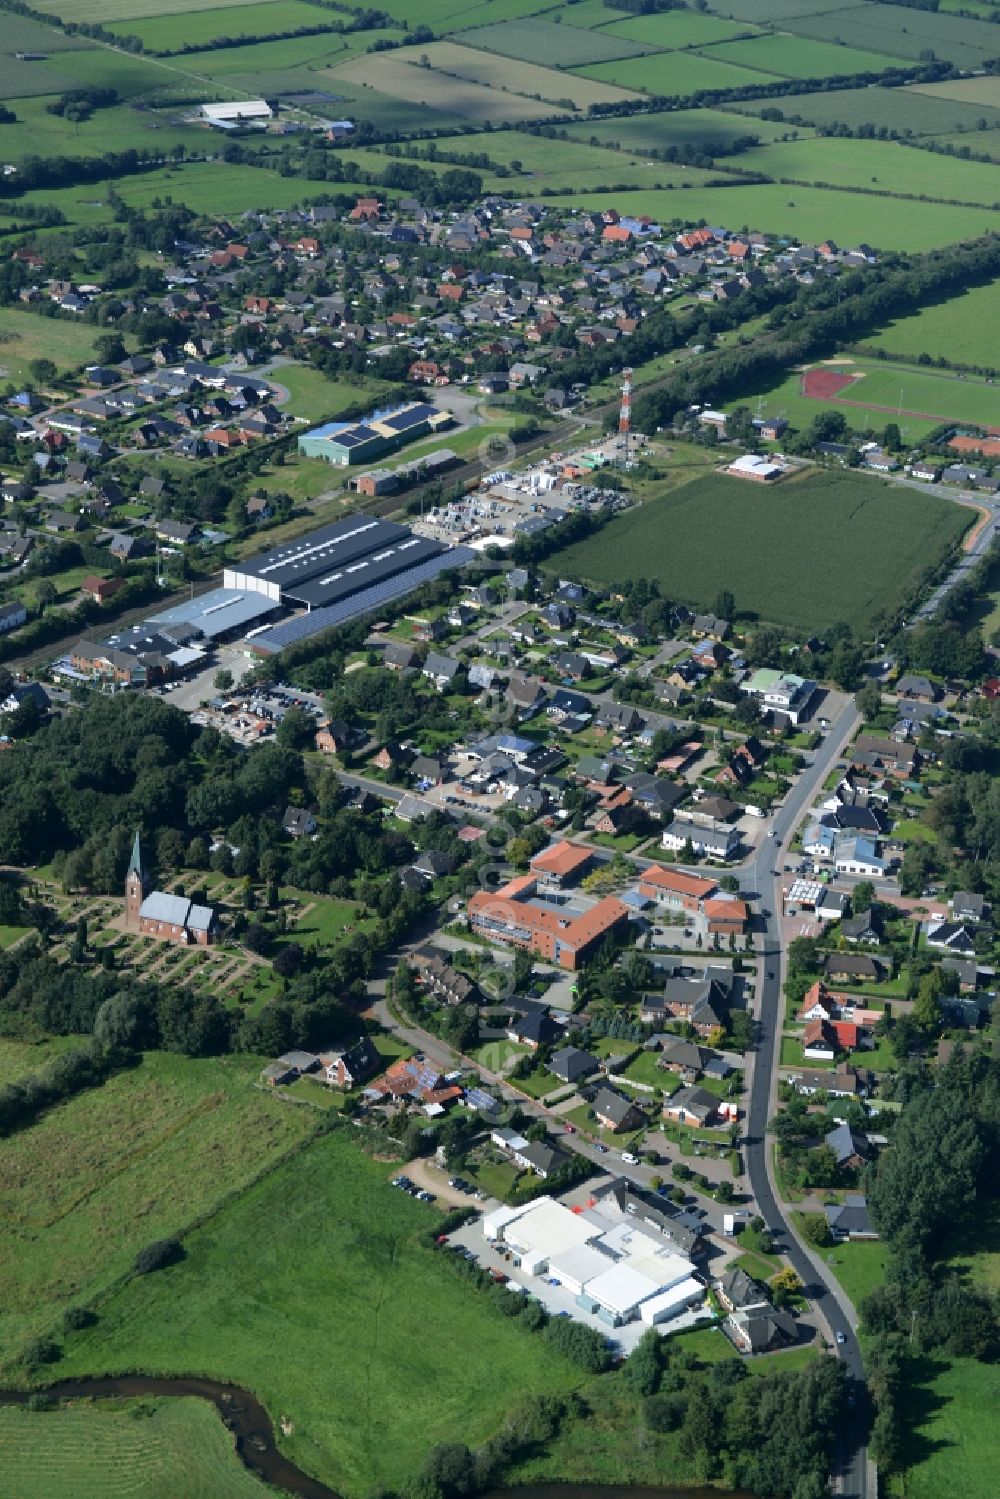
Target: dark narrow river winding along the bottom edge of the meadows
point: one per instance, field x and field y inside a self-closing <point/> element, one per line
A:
<point x="254" y="1434"/>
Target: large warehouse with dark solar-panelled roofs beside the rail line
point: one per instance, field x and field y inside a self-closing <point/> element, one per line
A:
<point x="340" y="573"/>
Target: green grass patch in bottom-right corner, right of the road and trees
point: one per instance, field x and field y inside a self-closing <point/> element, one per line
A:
<point x="954" y="1410"/>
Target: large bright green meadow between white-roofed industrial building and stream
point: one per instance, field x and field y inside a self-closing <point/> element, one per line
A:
<point x="326" y="1242"/>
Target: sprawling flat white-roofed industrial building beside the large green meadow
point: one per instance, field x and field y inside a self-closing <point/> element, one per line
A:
<point x="614" y="1270"/>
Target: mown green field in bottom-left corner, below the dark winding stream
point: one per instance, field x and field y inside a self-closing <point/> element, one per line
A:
<point x="124" y="1450"/>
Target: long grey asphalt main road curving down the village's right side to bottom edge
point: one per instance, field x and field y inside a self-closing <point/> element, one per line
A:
<point x="762" y="876"/>
